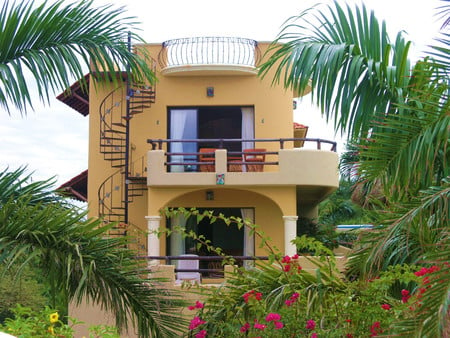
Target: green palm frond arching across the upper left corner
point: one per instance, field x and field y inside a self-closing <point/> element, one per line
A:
<point x="54" y="44"/>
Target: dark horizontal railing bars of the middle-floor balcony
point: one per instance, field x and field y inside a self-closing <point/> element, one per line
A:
<point x="236" y="159"/>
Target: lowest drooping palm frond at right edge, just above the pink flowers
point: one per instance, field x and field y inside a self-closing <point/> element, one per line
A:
<point x="410" y="233"/>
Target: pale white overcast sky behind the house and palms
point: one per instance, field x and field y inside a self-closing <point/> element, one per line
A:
<point x="52" y="140"/>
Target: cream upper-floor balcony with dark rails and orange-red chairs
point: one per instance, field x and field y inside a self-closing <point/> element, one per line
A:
<point x="313" y="171"/>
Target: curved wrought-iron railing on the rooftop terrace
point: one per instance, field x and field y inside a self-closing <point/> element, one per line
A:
<point x="197" y="51"/>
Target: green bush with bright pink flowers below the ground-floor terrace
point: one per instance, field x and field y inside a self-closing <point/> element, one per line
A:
<point x="283" y="300"/>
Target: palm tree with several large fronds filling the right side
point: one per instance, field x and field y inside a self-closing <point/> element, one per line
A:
<point x="398" y="117"/>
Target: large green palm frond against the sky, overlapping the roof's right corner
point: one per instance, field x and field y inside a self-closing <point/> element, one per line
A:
<point x="344" y="54"/>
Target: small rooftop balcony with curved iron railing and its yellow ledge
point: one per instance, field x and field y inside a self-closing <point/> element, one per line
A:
<point x="209" y="56"/>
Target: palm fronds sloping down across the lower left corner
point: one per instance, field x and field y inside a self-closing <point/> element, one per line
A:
<point x="78" y="259"/>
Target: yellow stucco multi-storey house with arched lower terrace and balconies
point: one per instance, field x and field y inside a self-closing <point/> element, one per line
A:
<point x="151" y="151"/>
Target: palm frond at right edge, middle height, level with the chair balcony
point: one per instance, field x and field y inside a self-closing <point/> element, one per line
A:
<point x="421" y="137"/>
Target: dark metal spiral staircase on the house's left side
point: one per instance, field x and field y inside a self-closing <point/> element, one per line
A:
<point x="129" y="180"/>
